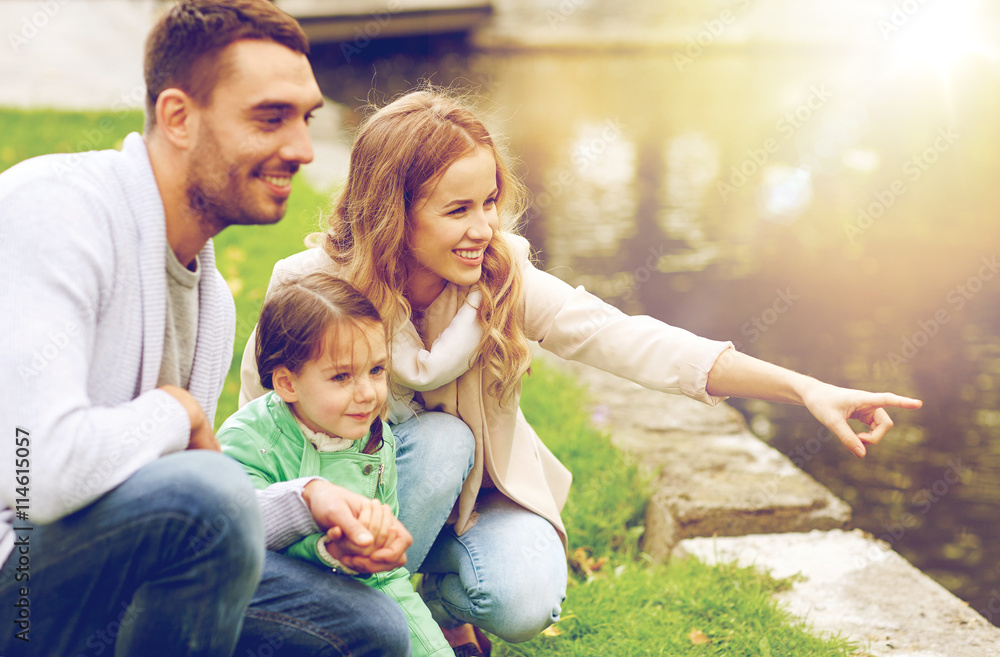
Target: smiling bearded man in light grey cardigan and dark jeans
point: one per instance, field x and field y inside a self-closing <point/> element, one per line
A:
<point x="123" y="529"/>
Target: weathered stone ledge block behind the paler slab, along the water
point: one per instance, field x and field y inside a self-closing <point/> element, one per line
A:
<point x="711" y="476"/>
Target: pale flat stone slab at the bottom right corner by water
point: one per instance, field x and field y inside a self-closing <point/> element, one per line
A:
<point x="856" y="586"/>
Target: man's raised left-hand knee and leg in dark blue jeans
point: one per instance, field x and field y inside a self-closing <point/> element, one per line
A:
<point x="162" y="565"/>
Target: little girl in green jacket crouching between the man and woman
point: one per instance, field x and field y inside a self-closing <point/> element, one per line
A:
<point x="321" y="349"/>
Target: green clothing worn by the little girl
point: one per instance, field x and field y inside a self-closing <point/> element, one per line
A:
<point x="265" y="438"/>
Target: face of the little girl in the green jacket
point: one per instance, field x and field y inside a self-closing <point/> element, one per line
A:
<point x="340" y="392"/>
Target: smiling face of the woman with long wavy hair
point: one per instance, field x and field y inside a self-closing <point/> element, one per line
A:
<point x="449" y="229"/>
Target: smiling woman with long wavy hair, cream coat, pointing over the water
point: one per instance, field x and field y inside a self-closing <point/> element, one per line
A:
<point x="424" y="229"/>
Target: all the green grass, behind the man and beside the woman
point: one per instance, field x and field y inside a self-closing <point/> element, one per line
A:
<point x="624" y="605"/>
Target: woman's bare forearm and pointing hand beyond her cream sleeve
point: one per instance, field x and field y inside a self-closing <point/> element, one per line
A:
<point x="739" y="375"/>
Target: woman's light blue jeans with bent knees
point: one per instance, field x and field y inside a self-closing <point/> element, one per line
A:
<point x="507" y="574"/>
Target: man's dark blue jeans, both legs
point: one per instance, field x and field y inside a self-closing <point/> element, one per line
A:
<point x="167" y="563"/>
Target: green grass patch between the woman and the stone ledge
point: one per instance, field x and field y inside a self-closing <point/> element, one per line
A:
<point x="631" y="606"/>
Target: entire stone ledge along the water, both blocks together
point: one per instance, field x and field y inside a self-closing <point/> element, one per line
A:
<point x="721" y="494"/>
